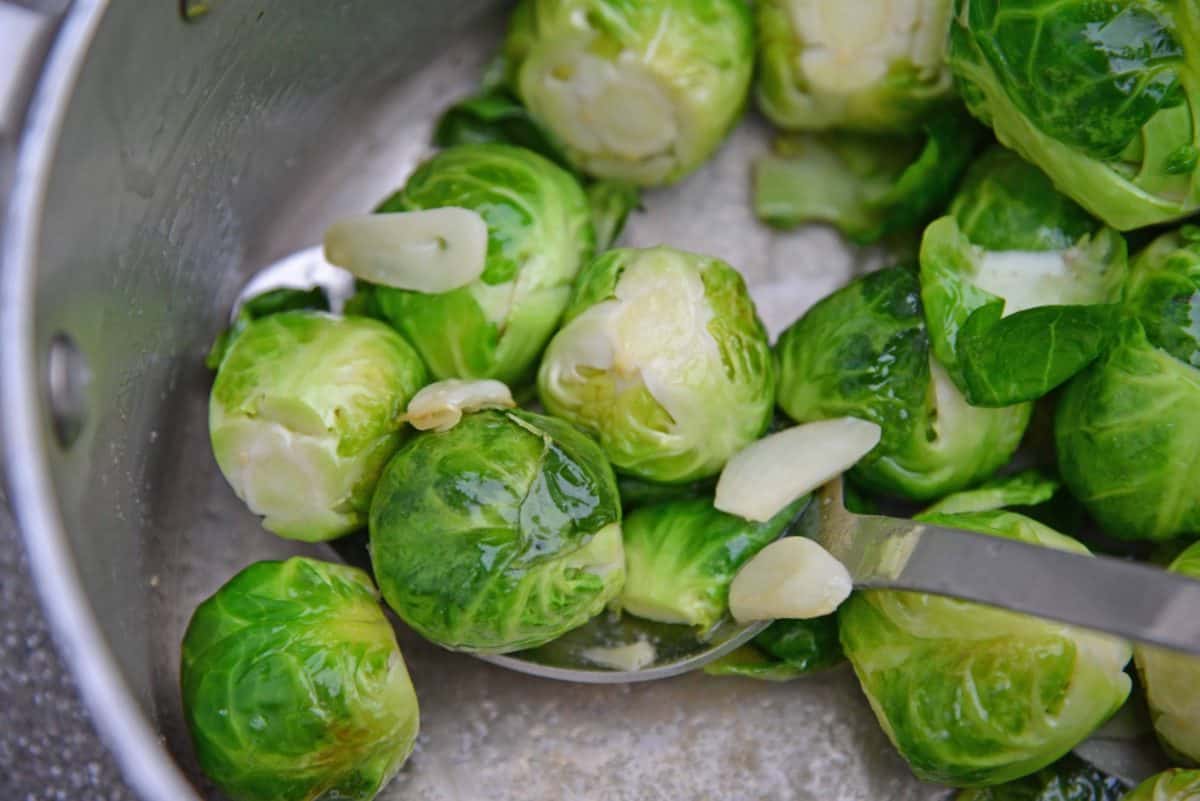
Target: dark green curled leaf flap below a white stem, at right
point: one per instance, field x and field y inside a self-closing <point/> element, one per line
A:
<point x="1027" y="356"/>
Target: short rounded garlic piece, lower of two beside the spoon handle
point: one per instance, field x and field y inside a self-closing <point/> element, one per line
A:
<point x="791" y="579"/>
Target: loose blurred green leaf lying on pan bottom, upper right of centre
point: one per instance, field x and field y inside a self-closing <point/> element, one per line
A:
<point x="867" y="186"/>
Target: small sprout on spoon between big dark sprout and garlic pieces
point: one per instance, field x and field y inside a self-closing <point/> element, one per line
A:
<point x="682" y="556"/>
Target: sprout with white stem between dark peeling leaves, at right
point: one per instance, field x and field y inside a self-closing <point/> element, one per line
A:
<point x="1019" y="284"/>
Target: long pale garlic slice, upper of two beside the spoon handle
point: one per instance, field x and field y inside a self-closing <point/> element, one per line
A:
<point x="769" y="475"/>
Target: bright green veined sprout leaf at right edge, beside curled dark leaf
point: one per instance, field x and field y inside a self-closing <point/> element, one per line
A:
<point x="1129" y="442"/>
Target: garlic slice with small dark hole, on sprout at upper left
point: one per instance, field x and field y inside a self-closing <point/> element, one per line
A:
<point x="431" y="251"/>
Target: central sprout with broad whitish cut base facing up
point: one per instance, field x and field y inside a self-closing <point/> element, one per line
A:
<point x="664" y="360"/>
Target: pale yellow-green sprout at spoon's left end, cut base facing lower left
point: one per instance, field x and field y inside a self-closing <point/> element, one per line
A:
<point x="305" y="412"/>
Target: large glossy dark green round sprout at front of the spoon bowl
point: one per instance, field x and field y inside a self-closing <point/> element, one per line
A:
<point x="500" y="534"/>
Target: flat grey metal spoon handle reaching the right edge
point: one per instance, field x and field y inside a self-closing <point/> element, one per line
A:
<point x="1132" y="601"/>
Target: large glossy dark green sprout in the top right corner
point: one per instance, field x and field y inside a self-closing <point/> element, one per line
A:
<point x="1094" y="94"/>
